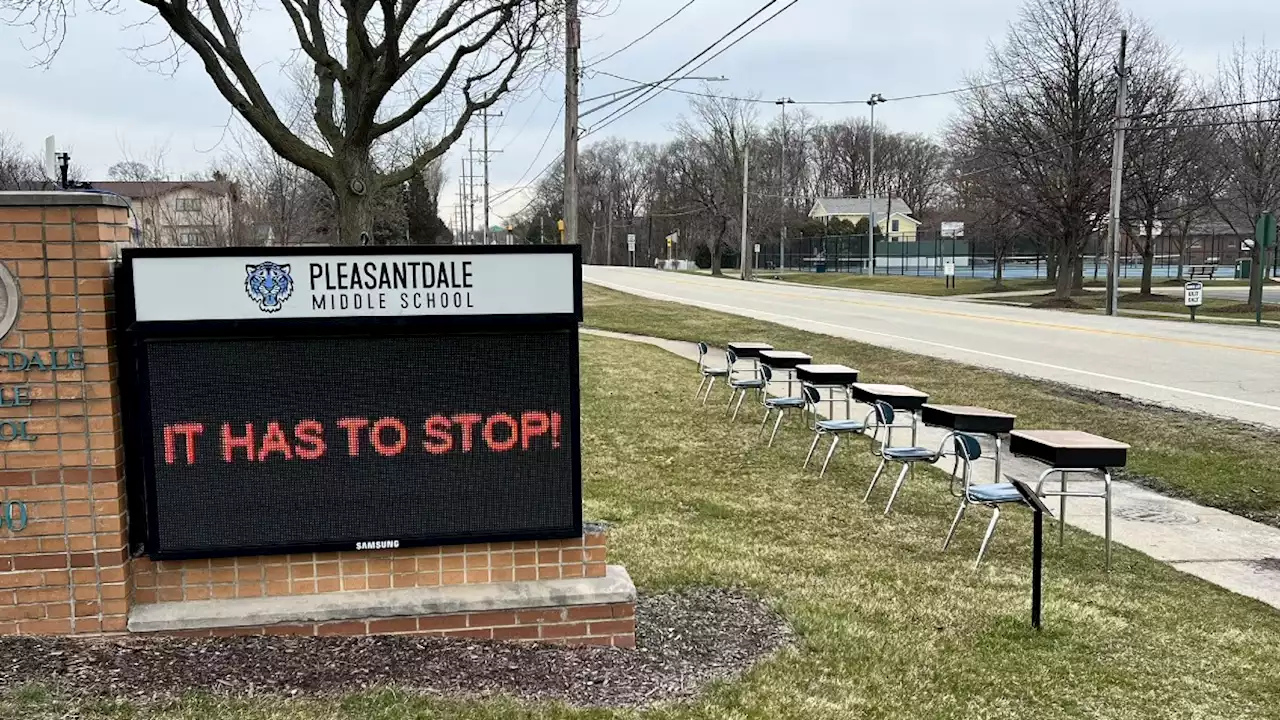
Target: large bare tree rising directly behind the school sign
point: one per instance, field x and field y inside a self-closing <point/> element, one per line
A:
<point x="377" y="66"/>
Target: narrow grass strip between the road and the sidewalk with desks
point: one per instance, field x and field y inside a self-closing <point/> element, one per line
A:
<point x="1215" y="463"/>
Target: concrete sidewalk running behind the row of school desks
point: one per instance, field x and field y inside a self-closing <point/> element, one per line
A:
<point x="1229" y="552"/>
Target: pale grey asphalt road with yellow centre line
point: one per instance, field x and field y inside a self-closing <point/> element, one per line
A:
<point x="1224" y="371"/>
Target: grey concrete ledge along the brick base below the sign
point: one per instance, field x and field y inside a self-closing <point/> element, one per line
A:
<point x="615" y="587"/>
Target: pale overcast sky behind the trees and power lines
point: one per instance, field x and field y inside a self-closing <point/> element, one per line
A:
<point x="104" y="107"/>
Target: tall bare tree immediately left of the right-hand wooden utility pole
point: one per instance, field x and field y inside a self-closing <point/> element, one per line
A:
<point x="1040" y="140"/>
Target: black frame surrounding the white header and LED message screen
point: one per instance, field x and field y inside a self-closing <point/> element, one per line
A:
<point x="135" y="379"/>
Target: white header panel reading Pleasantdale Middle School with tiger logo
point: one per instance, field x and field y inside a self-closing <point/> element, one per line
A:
<point x="250" y="288"/>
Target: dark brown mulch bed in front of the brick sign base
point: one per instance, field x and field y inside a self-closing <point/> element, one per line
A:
<point x="684" y="640"/>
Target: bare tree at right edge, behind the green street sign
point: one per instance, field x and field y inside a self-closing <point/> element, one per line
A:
<point x="1247" y="152"/>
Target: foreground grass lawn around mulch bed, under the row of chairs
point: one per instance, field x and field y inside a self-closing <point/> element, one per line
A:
<point x="889" y="627"/>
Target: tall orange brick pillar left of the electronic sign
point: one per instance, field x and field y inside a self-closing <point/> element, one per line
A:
<point x="66" y="569"/>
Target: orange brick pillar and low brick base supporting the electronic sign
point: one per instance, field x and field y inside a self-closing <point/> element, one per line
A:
<point x="66" y="566"/>
